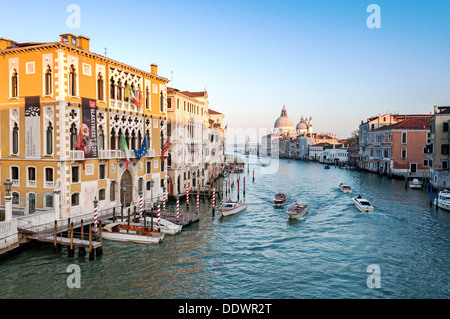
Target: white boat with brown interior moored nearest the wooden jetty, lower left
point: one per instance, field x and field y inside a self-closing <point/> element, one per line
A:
<point x="137" y="234"/>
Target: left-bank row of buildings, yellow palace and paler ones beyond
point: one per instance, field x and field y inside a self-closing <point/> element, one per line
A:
<point x="79" y="127"/>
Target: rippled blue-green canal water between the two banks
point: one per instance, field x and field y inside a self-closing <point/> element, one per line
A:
<point x="260" y="253"/>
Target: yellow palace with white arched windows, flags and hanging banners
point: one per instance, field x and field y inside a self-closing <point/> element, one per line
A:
<point x="51" y="91"/>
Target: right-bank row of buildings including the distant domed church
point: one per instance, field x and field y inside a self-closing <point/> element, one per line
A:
<point x="395" y="145"/>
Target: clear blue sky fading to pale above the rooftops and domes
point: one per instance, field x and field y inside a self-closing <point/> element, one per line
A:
<point x="318" y="58"/>
